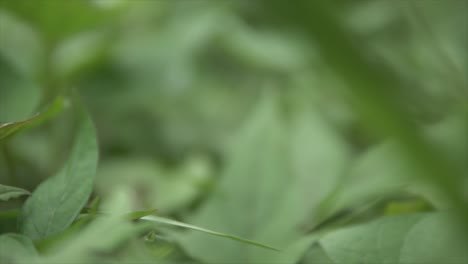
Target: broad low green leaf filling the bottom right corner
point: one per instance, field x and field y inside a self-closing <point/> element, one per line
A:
<point x="415" y="238"/>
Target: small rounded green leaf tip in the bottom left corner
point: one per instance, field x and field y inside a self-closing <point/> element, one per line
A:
<point x="14" y="247"/>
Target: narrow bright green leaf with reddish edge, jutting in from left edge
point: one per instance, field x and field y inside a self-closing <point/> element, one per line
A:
<point x="8" y="129"/>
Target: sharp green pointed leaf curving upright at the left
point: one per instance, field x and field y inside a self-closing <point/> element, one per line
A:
<point x="57" y="201"/>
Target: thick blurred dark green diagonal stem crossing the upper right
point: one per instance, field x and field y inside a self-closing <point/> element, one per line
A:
<point x="373" y="92"/>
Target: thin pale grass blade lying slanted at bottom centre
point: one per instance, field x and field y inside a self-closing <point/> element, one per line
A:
<point x="167" y="221"/>
